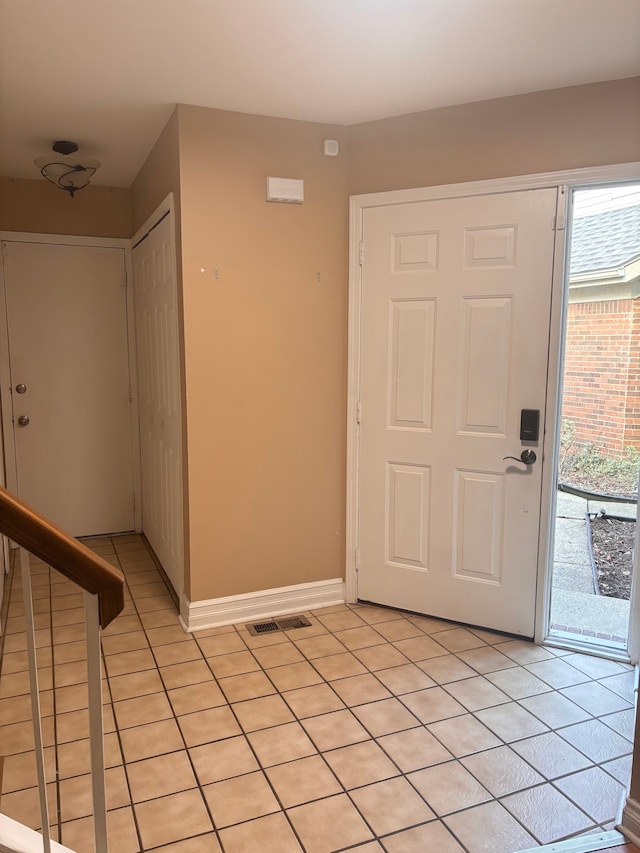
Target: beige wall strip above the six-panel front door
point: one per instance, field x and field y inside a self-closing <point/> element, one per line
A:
<point x="597" y="124"/>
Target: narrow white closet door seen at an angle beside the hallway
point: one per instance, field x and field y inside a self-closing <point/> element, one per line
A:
<point x="156" y="312"/>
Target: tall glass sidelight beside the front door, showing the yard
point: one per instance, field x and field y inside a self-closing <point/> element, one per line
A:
<point x="598" y="452"/>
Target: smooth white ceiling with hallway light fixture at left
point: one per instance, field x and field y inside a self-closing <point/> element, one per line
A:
<point x="106" y="73"/>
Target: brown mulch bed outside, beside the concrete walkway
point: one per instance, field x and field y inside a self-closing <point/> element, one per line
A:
<point x="613" y="542"/>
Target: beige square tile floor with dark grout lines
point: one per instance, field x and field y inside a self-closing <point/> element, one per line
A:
<point x="371" y="730"/>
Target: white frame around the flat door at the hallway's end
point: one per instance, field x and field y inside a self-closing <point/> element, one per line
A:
<point x="5" y="374"/>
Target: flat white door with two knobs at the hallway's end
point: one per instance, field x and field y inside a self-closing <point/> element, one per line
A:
<point x="68" y="352"/>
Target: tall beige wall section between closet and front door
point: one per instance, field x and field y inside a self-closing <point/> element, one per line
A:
<point x="265" y="353"/>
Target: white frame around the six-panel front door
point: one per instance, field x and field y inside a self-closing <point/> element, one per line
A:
<point x="357" y="205"/>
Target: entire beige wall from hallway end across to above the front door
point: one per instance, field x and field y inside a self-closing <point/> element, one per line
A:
<point x="265" y="345"/>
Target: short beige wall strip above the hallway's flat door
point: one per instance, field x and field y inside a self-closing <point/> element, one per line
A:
<point x="39" y="207"/>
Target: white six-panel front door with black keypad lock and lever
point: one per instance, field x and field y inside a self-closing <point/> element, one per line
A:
<point x="455" y="332"/>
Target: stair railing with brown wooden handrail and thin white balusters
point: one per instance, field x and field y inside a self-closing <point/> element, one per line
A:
<point x="103" y="585"/>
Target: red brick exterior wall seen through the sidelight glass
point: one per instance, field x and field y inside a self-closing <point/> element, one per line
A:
<point x="601" y="393"/>
